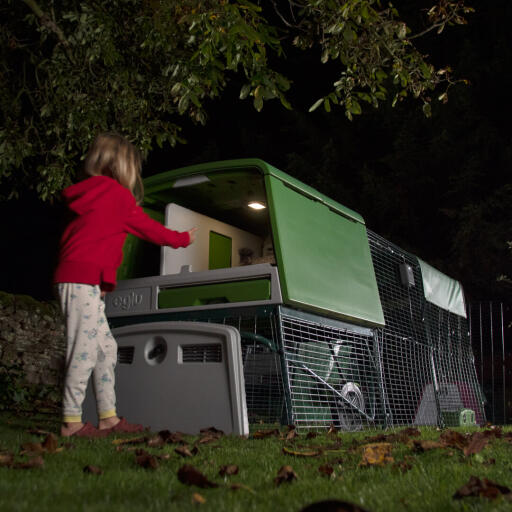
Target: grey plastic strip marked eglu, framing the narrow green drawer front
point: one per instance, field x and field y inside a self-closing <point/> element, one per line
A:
<point x="140" y="296"/>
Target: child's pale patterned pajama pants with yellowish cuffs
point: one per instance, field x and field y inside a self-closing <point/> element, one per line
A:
<point x="91" y="349"/>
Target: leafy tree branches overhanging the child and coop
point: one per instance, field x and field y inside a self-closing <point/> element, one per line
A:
<point x="71" y="68"/>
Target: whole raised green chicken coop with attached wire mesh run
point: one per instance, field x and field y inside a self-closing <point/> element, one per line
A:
<point x="285" y="310"/>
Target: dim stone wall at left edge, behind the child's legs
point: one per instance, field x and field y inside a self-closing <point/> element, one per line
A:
<point x="32" y="345"/>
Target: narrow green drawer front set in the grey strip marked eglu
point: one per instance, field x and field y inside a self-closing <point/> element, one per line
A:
<point x="218" y="293"/>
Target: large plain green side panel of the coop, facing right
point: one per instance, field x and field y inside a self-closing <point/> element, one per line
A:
<point x="323" y="256"/>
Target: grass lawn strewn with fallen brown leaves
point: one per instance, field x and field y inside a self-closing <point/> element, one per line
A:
<point x="400" y="472"/>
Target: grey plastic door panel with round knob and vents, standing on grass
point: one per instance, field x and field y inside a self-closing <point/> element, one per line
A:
<point x="180" y="376"/>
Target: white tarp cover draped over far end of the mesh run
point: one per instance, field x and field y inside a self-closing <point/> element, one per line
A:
<point x="441" y="290"/>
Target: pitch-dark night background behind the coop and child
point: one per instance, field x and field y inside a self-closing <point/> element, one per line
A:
<point x="438" y="187"/>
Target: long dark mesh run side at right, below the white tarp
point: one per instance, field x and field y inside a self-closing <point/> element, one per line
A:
<point x="428" y="369"/>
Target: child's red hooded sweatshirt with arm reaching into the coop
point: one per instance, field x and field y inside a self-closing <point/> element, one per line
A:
<point x="92" y="243"/>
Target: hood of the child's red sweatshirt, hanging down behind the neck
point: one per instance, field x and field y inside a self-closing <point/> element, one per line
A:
<point x="88" y="194"/>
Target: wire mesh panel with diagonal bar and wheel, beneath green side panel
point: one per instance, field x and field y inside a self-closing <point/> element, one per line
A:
<point x="332" y="375"/>
